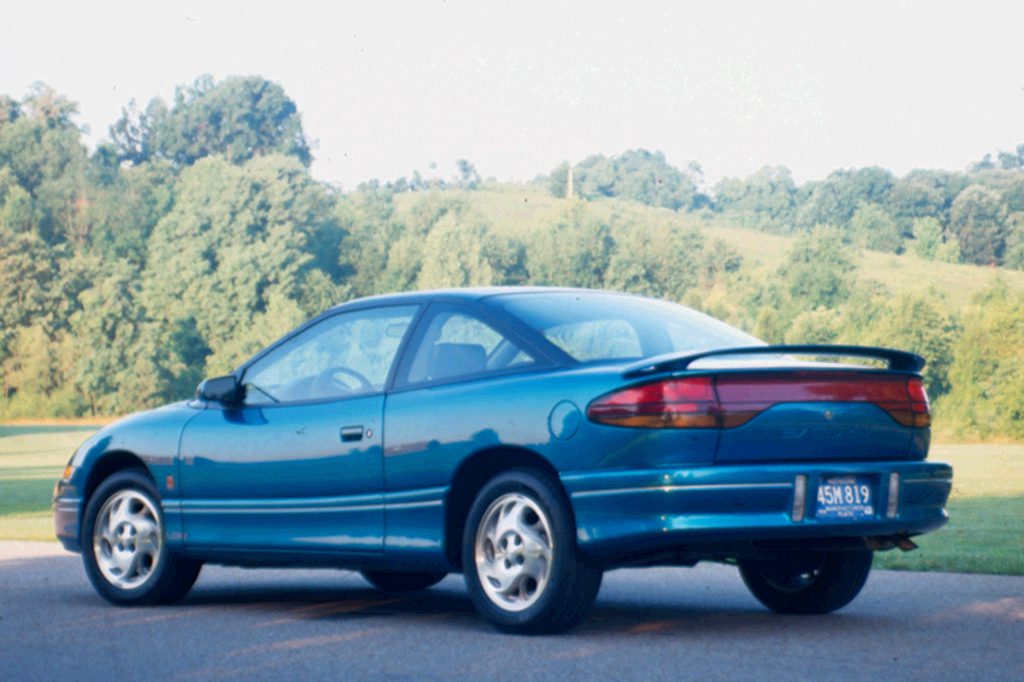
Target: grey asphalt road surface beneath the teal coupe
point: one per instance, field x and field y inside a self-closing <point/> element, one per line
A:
<point x="648" y="624"/>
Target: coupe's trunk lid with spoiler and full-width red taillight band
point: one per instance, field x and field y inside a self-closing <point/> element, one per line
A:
<point x="770" y="406"/>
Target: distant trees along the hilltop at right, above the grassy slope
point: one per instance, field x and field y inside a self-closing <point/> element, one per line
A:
<point x="974" y="217"/>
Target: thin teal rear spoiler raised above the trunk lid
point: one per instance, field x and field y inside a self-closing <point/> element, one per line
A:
<point x="899" y="360"/>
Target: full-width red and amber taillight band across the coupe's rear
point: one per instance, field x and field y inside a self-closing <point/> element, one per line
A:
<point x="733" y="400"/>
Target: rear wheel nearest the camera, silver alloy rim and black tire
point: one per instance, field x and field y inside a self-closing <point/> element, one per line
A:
<point x="520" y="557"/>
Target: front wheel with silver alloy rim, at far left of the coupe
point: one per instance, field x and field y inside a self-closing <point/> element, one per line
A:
<point x="129" y="564"/>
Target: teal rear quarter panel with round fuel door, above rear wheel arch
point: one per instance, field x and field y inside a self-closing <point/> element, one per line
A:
<point x="429" y="433"/>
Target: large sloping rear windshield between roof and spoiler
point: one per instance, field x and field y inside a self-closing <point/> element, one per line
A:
<point x="612" y="327"/>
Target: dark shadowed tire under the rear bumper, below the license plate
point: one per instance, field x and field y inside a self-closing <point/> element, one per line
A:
<point x="810" y="582"/>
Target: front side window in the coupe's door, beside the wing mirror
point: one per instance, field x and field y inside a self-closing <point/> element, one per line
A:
<point x="345" y="356"/>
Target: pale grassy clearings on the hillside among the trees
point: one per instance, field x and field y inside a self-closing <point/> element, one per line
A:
<point x="520" y="210"/>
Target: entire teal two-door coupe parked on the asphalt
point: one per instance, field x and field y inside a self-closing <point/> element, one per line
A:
<point x="530" y="439"/>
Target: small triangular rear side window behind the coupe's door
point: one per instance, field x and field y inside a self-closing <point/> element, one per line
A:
<point x="457" y="345"/>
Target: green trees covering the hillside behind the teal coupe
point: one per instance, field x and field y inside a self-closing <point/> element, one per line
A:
<point x="195" y="235"/>
